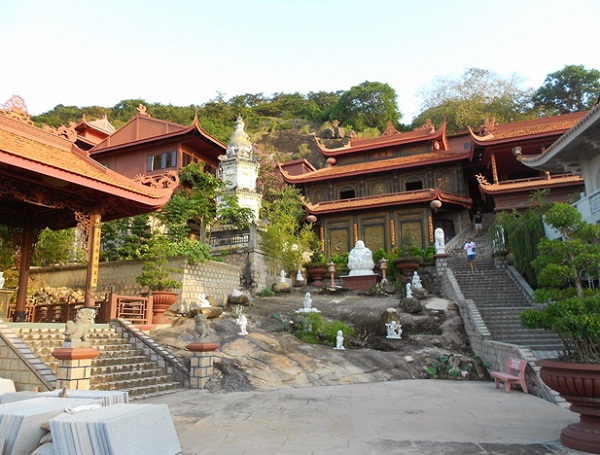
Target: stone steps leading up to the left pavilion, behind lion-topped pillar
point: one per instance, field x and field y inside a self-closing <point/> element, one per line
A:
<point x="120" y="365"/>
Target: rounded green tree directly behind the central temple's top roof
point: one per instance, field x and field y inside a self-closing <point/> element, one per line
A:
<point x="368" y="105"/>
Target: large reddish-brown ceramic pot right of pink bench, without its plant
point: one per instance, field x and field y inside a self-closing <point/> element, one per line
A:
<point x="579" y="384"/>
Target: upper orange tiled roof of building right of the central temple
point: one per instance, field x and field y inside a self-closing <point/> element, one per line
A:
<point x="541" y="126"/>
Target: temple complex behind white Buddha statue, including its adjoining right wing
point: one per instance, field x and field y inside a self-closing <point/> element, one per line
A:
<point x="394" y="190"/>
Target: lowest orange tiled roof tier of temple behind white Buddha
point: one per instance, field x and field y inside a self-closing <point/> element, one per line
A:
<point x="410" y="197"/>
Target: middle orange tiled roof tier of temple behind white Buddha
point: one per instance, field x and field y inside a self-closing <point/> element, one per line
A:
<point x="375" y="166"/>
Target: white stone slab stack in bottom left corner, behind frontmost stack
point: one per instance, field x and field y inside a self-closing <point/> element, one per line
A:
<point x="21" y="421"/>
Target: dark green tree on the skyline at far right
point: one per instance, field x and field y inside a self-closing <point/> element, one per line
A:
<point x="571" y="89"/>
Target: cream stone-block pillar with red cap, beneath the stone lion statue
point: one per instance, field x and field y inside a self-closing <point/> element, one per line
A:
<point x="75" y="369"/>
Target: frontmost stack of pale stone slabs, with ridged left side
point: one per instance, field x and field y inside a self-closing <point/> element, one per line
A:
<point x="120" y="429"/>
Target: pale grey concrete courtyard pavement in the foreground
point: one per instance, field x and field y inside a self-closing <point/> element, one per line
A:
<point x="414" y="417"/>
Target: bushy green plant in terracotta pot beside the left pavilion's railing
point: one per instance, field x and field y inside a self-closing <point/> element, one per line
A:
<point x="157" y="275"/>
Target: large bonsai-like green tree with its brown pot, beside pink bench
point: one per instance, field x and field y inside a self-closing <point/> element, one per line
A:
<point x="573" y="312"/>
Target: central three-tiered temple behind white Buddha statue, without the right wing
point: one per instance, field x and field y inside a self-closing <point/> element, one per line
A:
<point x="390" y="192"/>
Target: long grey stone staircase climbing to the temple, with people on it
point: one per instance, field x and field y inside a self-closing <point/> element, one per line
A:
<point x="497" y="297"/>
